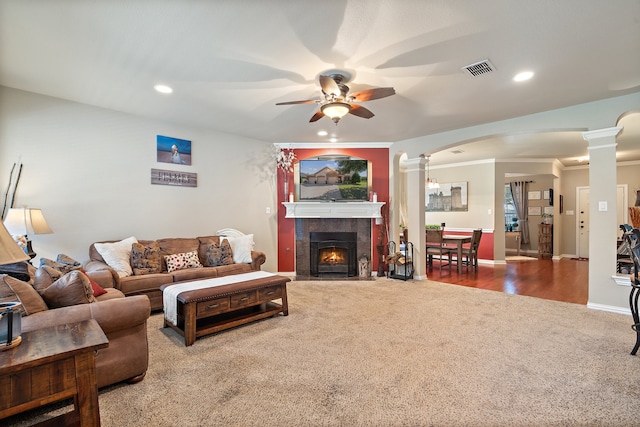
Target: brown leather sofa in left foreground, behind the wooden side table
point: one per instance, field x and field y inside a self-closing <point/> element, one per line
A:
<point x="123" y="320"/>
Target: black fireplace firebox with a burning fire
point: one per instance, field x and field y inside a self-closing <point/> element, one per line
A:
<point x="333" y="253"/>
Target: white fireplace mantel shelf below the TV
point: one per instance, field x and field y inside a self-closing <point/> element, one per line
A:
<point x="333" y="209"/>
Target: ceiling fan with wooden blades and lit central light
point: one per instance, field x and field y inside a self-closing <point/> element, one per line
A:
<point x="336" y="101"/>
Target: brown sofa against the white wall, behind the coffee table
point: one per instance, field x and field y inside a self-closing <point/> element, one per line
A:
<point x="149" y="284"/>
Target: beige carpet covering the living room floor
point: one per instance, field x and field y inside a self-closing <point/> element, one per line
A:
<point x="391" y="353"/>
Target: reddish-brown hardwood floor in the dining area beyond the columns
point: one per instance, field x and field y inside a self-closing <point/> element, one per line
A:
<point x="565" y="280"/>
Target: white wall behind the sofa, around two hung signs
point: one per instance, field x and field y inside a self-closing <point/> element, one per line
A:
<point x="88" y="169"/>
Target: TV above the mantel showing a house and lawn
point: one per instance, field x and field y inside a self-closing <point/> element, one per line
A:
<point x="334" y="177"/>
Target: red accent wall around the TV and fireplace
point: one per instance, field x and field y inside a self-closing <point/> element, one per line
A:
<point x="379" y="158"/>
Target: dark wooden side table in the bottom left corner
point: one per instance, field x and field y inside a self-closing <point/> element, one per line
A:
<point x="50" y="365"/>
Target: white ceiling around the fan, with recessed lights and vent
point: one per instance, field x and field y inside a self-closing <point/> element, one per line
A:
<point x="229" y="62"/>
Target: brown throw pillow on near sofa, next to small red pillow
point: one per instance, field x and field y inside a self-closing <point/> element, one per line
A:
<point x="71" y="289"/>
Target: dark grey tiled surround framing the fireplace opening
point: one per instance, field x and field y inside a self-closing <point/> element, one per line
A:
<point x="304" y="227"/>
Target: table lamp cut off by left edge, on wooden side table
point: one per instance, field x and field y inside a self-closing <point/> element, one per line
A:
<point x="10" y="314"/>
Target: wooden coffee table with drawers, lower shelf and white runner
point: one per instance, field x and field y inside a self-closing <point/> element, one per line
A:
<point x="208" y="310"/>
